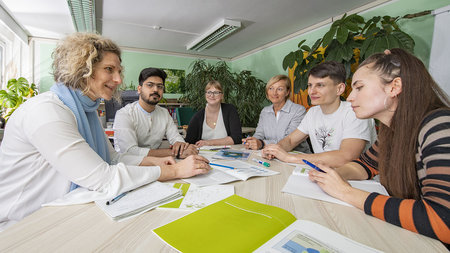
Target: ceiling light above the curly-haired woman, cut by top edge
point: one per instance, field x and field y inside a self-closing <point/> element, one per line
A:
<point x="83" y="15"/>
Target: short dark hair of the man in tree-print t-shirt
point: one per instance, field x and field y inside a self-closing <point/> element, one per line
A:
<point x="334" y="70"/>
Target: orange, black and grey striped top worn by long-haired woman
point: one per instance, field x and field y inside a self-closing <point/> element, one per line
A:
<point x="430" y="215"/>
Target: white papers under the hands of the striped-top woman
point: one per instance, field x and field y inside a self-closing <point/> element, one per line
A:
<point x="299" y="184"/>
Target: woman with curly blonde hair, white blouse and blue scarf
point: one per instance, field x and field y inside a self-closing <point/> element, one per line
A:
<point x="54" y="142"/>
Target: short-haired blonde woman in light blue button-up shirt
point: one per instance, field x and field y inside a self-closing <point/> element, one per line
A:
<point x="278" y="120"/>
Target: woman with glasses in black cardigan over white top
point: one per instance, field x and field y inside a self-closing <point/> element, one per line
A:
<point x="217" y="124"/>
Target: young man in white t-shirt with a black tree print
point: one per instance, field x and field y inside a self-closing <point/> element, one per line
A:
<point x="336" y="135"/>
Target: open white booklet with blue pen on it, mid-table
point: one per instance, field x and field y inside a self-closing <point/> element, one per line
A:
<point x="238" y="171"/>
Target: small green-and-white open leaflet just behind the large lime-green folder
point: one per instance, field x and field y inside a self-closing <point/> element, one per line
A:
<point x="198" y="197"/>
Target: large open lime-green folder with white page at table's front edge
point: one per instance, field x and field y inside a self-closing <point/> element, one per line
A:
<point x="236" y="224"/>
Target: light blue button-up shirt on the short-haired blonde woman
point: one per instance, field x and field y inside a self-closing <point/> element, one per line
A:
<point x="273" y="129"/>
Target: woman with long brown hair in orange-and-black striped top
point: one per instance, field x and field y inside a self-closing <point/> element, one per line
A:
<point x="412" y="153"/>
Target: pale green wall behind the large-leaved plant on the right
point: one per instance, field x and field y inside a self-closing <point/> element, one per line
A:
<point x="268" y="62"/>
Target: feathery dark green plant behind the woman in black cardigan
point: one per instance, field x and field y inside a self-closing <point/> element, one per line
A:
<point x="243" y="90"/>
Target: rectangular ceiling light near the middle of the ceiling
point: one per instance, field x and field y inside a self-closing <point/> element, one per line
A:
<point x="213" y="35"/>
